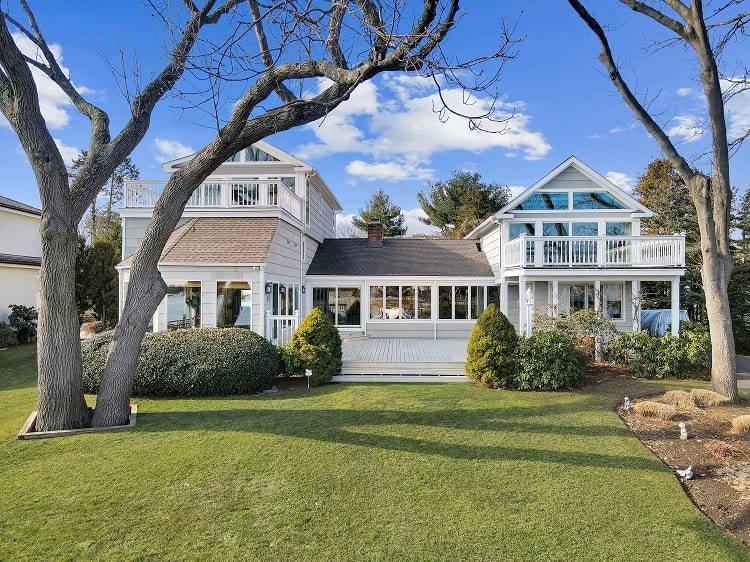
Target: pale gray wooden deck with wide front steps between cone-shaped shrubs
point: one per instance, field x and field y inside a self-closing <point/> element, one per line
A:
<point x="402" y="360"/>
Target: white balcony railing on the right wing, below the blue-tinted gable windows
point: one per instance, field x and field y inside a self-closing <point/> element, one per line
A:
<point x="597" y="251"/>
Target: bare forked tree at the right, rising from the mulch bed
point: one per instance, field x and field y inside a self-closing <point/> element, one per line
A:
<point x="711" y="193"/>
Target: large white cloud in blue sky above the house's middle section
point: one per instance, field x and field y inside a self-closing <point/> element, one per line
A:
<point x="396" y="123"/>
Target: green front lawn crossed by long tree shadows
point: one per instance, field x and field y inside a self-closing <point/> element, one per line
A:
<point x="347" y="472"/>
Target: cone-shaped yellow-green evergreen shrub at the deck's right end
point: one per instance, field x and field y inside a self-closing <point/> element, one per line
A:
<point x="491" y="353"/>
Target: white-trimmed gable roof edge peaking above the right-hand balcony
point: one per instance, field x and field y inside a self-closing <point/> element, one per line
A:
<point x="600" y="182"/>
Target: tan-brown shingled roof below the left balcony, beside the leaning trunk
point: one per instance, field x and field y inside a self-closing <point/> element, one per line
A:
<point x="219" y="240"/>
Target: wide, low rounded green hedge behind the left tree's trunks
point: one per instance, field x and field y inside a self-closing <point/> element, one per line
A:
<point x="197" y="362"/>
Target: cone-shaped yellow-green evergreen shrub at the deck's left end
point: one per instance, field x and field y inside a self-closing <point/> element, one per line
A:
<point x="318" y="345"/>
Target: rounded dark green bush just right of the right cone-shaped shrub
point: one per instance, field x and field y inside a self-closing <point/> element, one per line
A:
<point x="548" y="361"/>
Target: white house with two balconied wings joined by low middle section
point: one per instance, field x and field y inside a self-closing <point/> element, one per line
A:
<point x="256" y="247"/>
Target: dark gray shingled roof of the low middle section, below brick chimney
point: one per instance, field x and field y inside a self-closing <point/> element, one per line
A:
<point x="434" y="257"/>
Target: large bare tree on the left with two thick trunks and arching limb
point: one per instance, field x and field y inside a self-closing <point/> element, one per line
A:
<point x="295" y="62"/>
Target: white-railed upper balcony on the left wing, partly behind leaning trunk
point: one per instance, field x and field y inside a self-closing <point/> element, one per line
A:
<point x="249" y="194"/>
